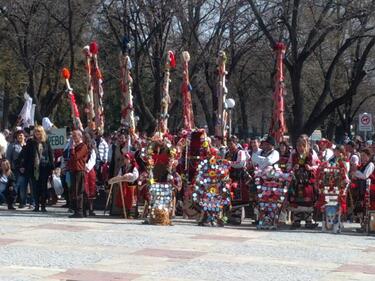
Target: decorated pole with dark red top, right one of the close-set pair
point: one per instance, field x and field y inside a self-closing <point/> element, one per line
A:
<point x="96" y="81"/>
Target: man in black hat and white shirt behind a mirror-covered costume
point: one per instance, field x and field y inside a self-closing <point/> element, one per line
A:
<point x="268" y="157"/>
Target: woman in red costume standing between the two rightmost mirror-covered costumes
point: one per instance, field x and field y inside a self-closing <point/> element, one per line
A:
<point x="303" y="194"/>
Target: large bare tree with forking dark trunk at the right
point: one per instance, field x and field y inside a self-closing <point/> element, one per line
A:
<point x="305" y="37"/>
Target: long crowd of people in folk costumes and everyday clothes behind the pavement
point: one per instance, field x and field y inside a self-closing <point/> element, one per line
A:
<point x="91" y="160"/>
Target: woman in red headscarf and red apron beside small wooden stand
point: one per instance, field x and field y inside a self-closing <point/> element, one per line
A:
<point x="127" y="177"/>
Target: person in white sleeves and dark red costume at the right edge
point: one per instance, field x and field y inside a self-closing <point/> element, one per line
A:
<point x="365" y="179"/>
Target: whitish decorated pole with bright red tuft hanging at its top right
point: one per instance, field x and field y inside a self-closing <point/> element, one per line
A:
<point x="166" y="100"/>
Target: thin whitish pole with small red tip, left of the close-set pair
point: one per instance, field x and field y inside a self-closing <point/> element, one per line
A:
<point x="89" y="109"/>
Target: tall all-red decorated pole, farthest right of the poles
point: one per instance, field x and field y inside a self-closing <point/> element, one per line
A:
<point x="278" y="126"/>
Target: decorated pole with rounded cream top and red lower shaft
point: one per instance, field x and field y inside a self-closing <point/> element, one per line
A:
<point x="186" y="92"/>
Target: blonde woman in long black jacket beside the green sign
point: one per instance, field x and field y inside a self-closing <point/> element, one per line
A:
<point x="38" y="163"/>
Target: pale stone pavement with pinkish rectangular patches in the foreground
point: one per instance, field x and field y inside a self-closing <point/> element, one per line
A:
<point x="35" y="246"/>
